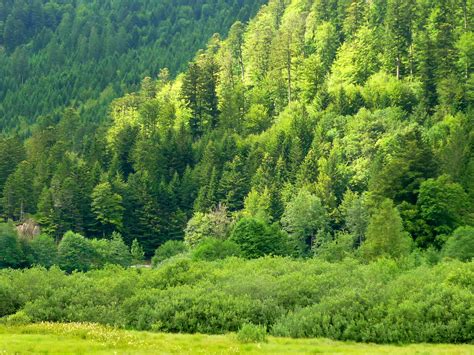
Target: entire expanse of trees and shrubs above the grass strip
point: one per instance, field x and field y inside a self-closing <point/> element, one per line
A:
<point x="309" y="173"/>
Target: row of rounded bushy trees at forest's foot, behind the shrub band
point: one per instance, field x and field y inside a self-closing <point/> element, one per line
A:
<point x="248" y="239"/>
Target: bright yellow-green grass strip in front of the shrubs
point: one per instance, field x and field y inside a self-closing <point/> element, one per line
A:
<point x="48" y="338"/>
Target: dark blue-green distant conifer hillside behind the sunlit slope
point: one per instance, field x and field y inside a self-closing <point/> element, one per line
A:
<point x="60" y="53"/>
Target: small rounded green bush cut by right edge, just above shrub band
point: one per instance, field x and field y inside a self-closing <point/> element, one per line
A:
<point x="460" y="244"/>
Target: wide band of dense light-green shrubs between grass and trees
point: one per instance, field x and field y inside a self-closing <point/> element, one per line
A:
<point x="382" y="302"/>
